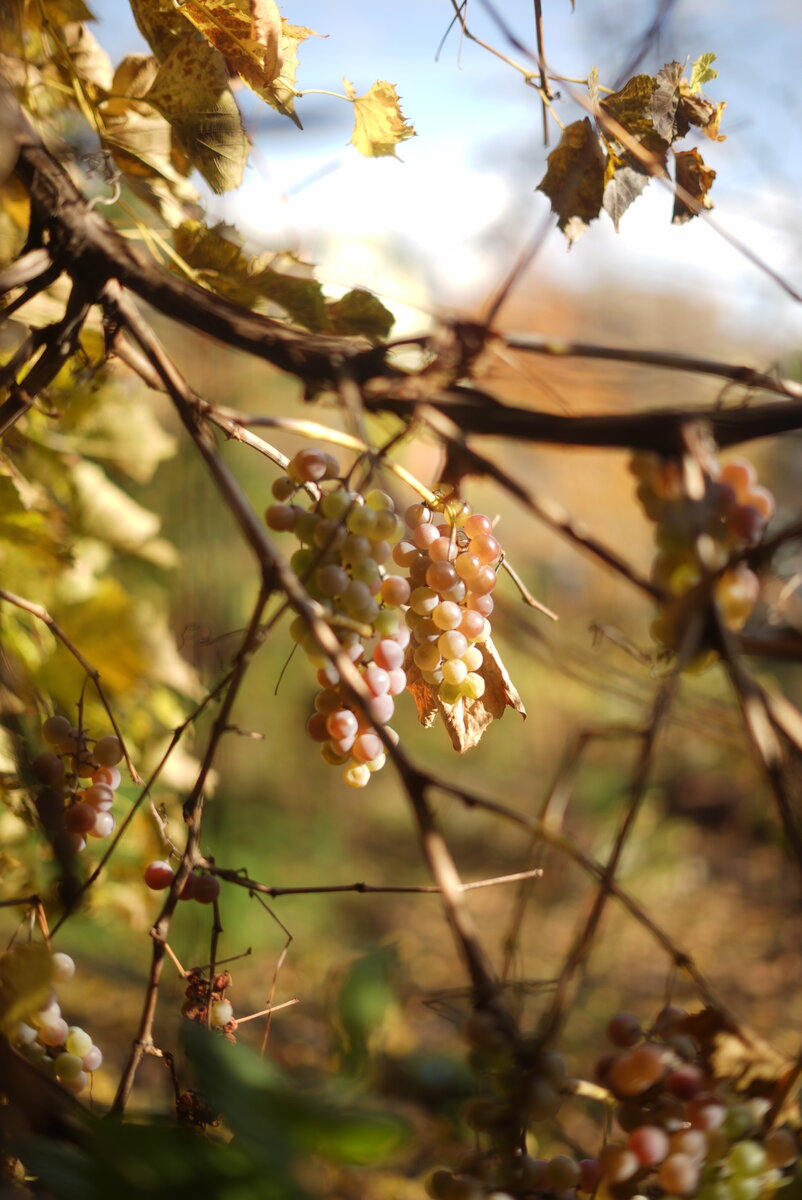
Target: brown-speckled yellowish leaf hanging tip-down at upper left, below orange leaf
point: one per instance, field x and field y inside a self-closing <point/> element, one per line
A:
<point x="191" y="92"/>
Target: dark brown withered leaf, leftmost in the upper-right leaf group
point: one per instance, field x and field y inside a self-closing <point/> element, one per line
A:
<point x="574" y="179"/>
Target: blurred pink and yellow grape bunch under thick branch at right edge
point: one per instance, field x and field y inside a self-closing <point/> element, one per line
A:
<point x="697" y="538"/>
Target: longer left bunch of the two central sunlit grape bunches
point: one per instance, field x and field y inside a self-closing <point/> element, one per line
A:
<point x="346" y="543"/>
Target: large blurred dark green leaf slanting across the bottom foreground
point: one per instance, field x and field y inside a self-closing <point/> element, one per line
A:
<point x="274" y="1118"/>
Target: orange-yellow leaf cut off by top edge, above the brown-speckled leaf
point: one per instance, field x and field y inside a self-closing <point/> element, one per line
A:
<point x="247" y="34"/>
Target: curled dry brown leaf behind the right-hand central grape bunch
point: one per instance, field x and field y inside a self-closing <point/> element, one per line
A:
<point x="468" y="719"/>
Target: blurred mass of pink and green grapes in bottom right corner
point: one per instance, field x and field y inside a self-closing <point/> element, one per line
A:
<point x="677" y="1131"/>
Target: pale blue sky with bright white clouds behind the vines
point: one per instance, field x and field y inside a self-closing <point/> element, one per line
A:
<point x="422" y="226"/>
